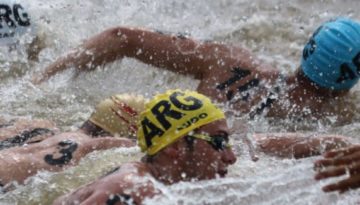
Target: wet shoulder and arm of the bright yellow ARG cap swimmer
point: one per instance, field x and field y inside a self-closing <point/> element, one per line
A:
<point x="118" y="187"/>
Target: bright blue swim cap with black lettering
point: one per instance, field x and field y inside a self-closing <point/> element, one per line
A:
<point x="331" y="58"/>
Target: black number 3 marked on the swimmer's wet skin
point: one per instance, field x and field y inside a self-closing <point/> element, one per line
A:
<point x="67" y="148"/>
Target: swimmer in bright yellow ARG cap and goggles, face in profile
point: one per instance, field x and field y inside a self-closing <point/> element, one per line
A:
<point x="185" y="137"/>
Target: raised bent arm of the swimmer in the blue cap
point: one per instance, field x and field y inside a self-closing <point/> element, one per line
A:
<point x="175" y="53"/>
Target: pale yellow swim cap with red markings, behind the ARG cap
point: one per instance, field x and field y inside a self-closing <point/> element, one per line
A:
<point x="119" y="114"/>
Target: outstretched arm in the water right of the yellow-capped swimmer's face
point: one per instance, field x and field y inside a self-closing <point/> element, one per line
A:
<point x="298" y="145"/>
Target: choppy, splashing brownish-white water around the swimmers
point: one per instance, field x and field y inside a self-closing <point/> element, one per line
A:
<point x="275" y="30"/>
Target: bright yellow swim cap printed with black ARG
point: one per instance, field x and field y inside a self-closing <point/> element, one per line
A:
<point x="171" y="115"/>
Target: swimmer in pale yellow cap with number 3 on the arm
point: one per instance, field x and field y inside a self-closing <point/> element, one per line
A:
<point x="109" y="126"/>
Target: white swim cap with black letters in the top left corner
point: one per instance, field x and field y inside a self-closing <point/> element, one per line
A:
<point x="14" y="21"/>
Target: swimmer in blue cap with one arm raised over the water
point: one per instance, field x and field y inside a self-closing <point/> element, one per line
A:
<point x="330" y="67"/>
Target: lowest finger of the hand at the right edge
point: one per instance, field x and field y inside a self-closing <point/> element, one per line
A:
<point x="343" y="185"/>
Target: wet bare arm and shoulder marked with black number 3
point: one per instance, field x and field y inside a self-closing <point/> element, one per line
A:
<point x="53" y="154"/>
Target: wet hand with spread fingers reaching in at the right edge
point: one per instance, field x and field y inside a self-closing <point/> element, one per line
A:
<point x="342" y="162"/>
